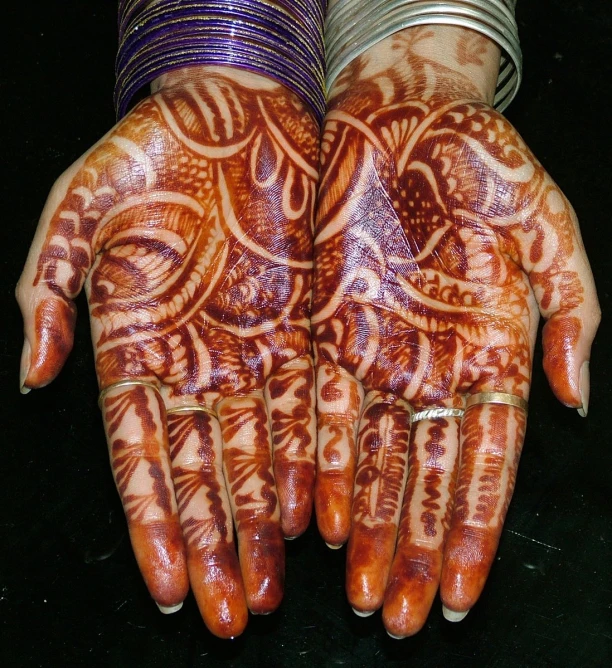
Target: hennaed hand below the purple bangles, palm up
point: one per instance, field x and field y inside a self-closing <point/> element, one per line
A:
<point x="190" y="224"/>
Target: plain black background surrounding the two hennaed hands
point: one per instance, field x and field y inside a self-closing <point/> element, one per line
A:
<point x="70" y="592"/>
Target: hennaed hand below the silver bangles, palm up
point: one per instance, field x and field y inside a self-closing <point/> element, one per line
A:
<point x="439" y="237"/>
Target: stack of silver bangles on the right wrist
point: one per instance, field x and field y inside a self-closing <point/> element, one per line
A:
<point x="353" y="26"/>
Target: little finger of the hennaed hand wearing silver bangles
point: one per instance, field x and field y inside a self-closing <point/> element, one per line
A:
<point x="339" y="401"/>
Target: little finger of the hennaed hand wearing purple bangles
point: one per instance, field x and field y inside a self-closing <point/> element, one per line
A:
<point x="290" y="400"/>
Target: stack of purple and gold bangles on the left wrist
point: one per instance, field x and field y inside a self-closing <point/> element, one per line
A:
<point x="282" y="39"/>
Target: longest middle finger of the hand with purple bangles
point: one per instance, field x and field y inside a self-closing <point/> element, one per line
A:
<point x="205" y="514"/>
